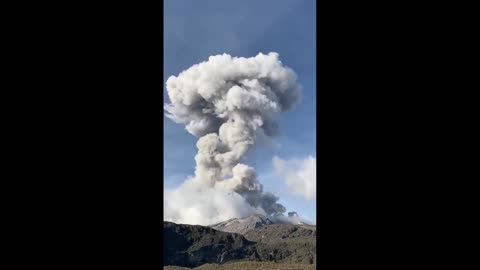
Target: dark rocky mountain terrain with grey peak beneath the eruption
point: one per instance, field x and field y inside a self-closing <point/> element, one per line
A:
<point x="260" y="239"/>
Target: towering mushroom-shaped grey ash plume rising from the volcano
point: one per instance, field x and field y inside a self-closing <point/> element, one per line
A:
<point x="230" y="102"/>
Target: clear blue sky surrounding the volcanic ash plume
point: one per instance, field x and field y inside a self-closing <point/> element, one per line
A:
<point x="195" y="30"/>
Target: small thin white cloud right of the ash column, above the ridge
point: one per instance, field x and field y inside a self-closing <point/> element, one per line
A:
<point x="300" y="175"/>
